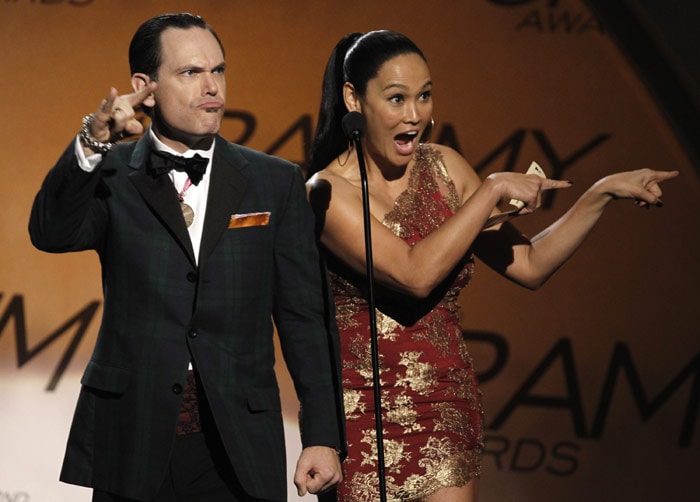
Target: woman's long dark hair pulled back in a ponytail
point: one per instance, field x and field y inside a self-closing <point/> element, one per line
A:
<point x="357" y="59"/>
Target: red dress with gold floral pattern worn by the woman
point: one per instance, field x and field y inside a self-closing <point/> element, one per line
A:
<point x="431" y="403"/>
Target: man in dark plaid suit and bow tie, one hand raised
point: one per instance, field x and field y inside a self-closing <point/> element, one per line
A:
<point x="179" y="400"/>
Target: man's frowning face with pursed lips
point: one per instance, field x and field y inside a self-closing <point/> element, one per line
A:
<point x="191" y="93"/>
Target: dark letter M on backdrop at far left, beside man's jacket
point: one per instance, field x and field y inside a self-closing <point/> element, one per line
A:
<point x="78" y="325"/>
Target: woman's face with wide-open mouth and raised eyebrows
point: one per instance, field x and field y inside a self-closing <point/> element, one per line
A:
<point x="397" y="107"/>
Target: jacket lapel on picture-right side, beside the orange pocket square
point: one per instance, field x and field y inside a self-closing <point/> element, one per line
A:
<point x="226" y="189"/>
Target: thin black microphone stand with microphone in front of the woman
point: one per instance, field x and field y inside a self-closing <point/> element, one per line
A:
<point x="355" y="135"/>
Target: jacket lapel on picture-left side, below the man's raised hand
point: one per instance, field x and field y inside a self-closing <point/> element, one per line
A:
<point x="160" y="195"/>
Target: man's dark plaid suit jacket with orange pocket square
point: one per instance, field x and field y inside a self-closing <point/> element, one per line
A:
<point x="162" y="310"/>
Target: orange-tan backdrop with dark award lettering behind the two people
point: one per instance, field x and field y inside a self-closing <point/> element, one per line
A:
<point x="591" y="385"/>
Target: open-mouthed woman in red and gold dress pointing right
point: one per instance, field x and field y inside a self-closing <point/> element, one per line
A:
<point x="428" y="216"/>
